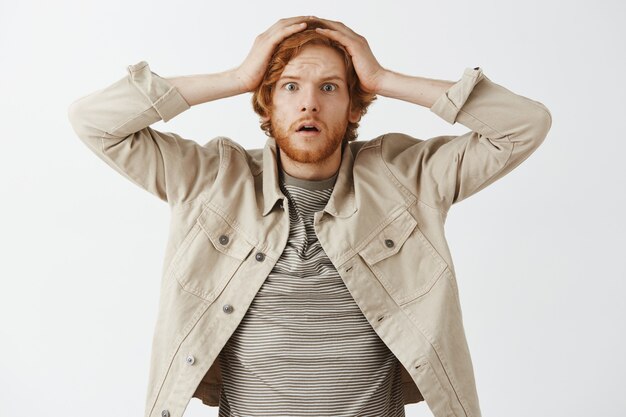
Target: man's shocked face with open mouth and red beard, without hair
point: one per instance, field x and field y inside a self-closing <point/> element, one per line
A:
<point x="312" y="91"/>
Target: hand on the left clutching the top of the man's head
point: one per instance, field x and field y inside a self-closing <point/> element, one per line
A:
<point x="251" y="71"/>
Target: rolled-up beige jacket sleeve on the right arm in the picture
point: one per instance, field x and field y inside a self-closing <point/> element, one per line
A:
<point x="505" y="129"/>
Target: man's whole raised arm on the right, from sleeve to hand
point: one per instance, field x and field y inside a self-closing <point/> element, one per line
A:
<point x="505" y="127"/>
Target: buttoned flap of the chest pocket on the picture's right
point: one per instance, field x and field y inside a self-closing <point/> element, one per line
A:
<point x="390" y="239"/>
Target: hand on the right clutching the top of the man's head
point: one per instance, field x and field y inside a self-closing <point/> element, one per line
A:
<point x="367" y="68"/>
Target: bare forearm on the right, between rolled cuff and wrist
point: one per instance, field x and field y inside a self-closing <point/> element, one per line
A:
<point x="418" y="90"/>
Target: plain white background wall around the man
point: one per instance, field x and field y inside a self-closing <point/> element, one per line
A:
<point x="539" y="254"/>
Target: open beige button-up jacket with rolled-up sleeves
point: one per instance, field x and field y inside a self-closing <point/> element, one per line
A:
<point x="383" y="229"/>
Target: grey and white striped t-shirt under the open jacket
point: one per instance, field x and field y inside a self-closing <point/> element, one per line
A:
<point x="304" y="347"/>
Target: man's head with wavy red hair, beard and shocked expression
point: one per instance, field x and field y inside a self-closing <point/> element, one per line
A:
<point x="295" y="88"/>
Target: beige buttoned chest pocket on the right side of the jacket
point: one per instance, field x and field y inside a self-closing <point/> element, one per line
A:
<point x="402" y="259"/>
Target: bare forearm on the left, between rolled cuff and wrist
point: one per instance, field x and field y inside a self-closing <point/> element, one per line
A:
<point x="202" y="88"/>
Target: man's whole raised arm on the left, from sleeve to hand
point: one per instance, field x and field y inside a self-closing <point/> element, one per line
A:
<point x="114" y="122"/>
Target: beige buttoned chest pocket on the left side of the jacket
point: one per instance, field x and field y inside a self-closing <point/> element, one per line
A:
<point x="210" y="255"/>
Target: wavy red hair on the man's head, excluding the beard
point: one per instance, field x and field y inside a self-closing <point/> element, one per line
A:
<point x="289" y="48"/>
